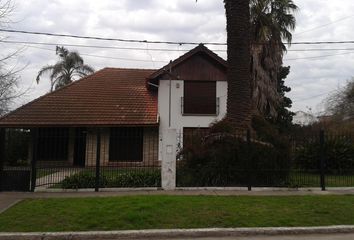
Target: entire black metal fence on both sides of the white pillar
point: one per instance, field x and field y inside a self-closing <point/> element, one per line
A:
<point x="75" y="158"/>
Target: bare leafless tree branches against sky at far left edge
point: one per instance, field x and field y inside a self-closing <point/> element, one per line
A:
<point x="8" y="75"/>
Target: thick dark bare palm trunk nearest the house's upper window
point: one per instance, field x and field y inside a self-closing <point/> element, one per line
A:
<point x="239" y="59"/>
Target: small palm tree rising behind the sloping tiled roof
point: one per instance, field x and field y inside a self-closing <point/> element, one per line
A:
<point x="69" y="68"/>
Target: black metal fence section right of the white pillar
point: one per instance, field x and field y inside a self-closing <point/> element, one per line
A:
<point x="312" y="159"/>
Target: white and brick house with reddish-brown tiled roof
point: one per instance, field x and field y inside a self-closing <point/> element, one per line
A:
<point x="188" y="93"/>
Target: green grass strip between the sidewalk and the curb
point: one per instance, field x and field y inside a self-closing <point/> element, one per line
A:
<point x="165" y="212"/>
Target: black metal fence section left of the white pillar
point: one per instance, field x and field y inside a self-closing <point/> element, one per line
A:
<point x="75" y="158"/>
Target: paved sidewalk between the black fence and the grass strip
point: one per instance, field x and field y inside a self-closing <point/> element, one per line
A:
<point x="8" y="199"/>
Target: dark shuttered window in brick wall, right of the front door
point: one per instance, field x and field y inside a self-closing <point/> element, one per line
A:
<point x="126" y="145"/>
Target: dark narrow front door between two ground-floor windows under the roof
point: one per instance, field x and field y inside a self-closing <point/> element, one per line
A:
<point x="80" y="147"/>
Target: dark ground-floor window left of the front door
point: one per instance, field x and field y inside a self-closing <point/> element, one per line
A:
<point x="53" y="144"/>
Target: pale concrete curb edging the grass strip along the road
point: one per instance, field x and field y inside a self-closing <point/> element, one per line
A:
<point x="178" y="233"/>
